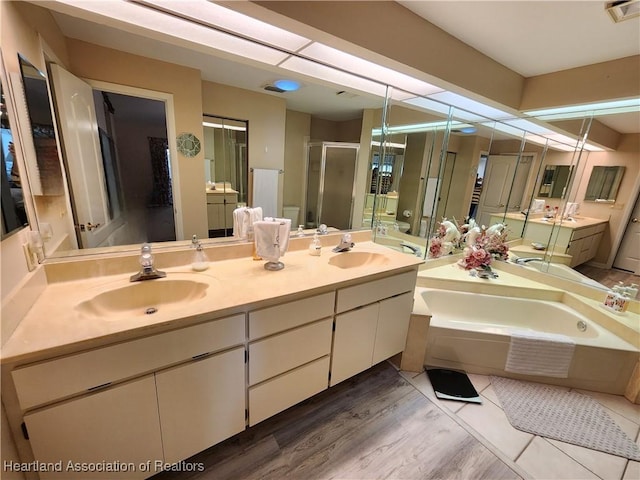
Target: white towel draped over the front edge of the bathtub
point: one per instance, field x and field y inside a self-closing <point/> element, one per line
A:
<point x="539" y="353"/>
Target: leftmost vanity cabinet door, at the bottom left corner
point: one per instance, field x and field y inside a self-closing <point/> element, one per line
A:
<point x="113" y="426"/>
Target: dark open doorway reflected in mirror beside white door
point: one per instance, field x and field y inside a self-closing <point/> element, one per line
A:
<point x="138" y="177"/>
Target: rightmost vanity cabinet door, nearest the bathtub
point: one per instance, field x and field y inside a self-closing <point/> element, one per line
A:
<point x="393" y="324"/>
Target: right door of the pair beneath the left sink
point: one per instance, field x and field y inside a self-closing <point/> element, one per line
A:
<point x="201" y="403"/>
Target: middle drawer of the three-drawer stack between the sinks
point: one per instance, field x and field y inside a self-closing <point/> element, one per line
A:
<point x="275" y="355"/>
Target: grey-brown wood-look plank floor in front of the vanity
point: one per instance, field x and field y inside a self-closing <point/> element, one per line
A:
<point x="375" y="425"/>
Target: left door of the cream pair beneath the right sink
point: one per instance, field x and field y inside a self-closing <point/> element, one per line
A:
<point x="353" y="342"/>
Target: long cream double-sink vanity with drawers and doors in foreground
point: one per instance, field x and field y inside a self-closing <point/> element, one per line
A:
<point x="128" y="388"/>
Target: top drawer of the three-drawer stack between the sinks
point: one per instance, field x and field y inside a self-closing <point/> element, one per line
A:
<point x="290" y="315"/>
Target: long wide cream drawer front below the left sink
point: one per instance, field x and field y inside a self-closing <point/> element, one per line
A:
<point x="47" y="381"/>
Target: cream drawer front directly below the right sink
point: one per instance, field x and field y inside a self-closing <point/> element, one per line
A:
<point x="358" y="295"/>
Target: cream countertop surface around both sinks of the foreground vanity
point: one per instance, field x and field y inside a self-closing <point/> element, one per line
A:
<point x="53" y="326"/>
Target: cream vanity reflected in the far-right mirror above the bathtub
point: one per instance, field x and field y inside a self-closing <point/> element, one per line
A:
<point x="579" y="238"/>
